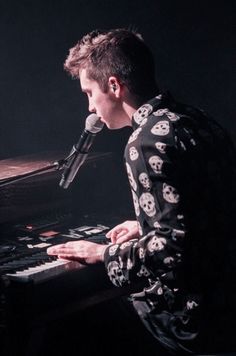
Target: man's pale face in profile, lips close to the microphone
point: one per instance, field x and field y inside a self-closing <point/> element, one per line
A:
<point x="106" y="105"/>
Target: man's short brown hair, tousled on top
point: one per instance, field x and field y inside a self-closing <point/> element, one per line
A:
<point x="119" y="52"/>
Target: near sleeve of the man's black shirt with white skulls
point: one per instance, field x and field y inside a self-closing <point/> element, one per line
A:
<point x="157" y="204"/>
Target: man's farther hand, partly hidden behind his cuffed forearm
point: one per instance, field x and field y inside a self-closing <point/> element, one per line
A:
<point x="124" y="232"/>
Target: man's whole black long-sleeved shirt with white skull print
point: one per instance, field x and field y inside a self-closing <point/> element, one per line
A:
<point x="180" y="168"/>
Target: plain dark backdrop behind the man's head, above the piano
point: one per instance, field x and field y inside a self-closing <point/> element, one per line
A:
<point x="42" y="109"/>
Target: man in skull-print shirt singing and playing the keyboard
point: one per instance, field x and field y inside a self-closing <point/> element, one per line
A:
<point x="180" y="168"/>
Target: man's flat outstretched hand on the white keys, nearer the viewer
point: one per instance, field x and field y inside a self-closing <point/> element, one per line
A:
<point x="81" y="251"/>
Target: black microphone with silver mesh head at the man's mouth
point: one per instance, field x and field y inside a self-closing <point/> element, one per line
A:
<point x="79" y="152"/>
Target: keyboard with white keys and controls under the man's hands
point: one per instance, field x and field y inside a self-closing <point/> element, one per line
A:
<point x="28" y="260"/>
